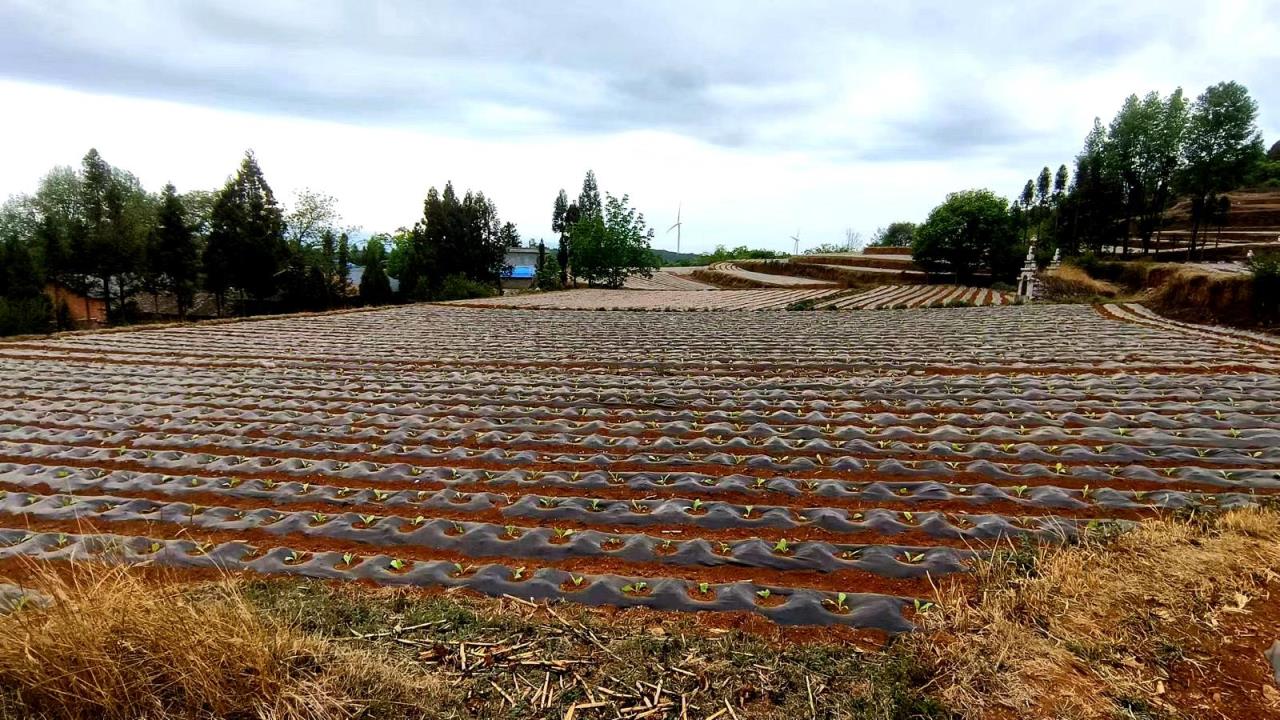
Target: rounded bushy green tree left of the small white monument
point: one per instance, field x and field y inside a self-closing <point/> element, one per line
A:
<point x="972" y="233"/>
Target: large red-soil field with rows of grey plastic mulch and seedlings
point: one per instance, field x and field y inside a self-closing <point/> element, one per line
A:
<point x="812" y="468"/>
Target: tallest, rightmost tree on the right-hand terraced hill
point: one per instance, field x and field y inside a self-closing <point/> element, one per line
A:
<point x="1223" y="144"/>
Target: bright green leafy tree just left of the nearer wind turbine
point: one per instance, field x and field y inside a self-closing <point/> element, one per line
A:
<point x="612" y="245"/>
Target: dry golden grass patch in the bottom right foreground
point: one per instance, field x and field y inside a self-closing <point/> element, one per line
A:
<point x="1069" y="632"/>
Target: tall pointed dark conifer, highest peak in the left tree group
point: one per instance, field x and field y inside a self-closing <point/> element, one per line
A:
<point x="246" y="241"/>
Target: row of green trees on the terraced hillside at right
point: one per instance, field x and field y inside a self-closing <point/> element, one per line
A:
<point x="1156" y="152"/>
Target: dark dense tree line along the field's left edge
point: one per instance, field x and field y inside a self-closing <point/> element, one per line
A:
<point x="95" y="234"/>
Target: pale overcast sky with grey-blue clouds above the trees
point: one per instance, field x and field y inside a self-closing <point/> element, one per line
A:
<point x="760" y="119"/>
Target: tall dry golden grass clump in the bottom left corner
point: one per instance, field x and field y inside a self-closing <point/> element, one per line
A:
<point x="113" y="645"/>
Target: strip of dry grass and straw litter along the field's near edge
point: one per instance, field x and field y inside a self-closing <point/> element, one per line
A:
<point x="1133" y="626"/>
